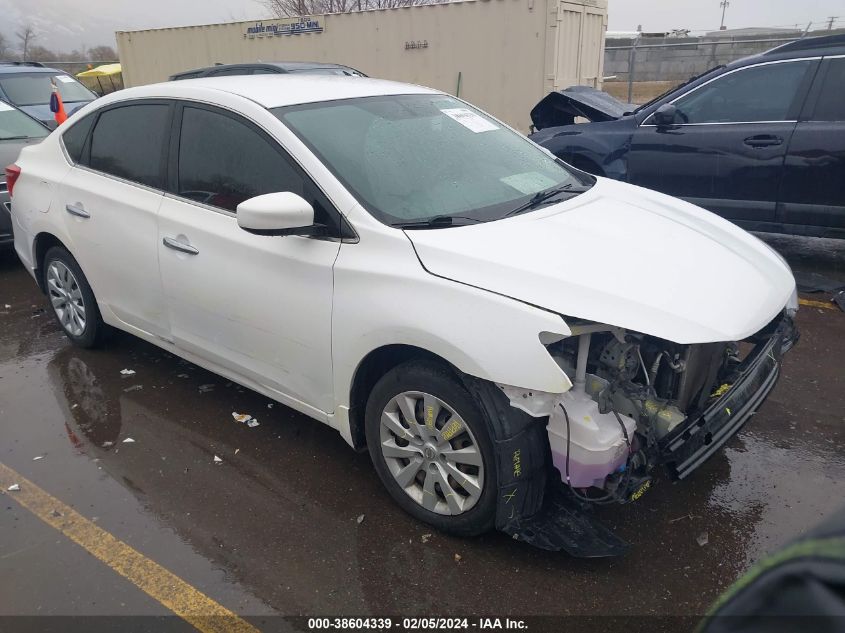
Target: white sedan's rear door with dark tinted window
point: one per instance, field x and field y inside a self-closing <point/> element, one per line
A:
<point x="110" y="201"/>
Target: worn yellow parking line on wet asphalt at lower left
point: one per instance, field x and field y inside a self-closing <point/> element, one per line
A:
<point x="150" y="577"/>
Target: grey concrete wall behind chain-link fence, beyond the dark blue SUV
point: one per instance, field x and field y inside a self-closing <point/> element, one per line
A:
<point x="687" y="56"/>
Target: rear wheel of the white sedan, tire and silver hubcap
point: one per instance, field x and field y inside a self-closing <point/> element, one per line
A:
<point x="71" y="299"/>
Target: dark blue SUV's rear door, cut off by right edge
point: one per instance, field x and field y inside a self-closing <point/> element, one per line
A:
<point x="812" y="197"/>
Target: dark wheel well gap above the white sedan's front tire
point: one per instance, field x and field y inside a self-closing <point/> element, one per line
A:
<point x="375" y="365"/>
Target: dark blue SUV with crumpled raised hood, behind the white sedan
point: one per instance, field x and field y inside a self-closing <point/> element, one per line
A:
<point x="760" y="141"/>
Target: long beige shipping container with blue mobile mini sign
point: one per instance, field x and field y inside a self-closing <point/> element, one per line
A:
<point x="509" y="53"/>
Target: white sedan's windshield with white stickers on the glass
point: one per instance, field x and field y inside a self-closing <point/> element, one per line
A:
<point x="418" y="157"/>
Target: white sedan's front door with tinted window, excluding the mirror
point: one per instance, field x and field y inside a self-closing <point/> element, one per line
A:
<point x="259" y="306"/>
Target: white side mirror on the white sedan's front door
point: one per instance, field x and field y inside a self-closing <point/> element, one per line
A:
<point x="282" y="213"/>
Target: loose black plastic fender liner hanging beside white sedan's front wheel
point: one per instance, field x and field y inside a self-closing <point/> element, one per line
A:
<point x="530" y="506"/>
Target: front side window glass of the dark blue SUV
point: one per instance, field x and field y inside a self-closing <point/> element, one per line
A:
<point x="760" y="93"/>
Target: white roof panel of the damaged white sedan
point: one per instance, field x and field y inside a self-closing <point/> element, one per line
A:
<point x="272" y="91"/>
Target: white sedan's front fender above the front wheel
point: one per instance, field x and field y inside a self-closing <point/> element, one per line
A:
<point x="389" y="299"/>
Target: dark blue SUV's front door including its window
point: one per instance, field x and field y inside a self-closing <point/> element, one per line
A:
<point x="726" y="150"/>
